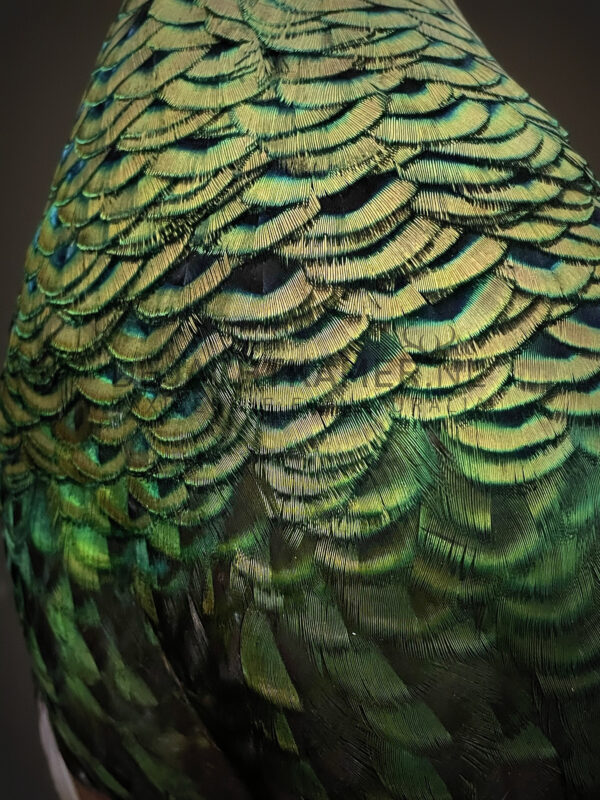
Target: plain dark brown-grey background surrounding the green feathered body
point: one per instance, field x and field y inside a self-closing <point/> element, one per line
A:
<point x="47" y="49"/>
